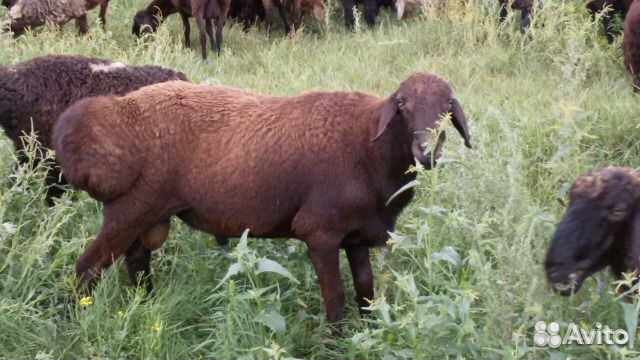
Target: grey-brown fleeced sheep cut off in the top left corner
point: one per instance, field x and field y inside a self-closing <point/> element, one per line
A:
<point x="34" y="13"/>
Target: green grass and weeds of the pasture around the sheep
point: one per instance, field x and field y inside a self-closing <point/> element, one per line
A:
<point x="463" y="275"/>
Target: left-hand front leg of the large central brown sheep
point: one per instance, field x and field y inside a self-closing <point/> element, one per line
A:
<point x="325" y="258"/>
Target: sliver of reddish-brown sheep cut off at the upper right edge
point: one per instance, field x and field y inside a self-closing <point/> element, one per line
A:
<point x="631" y="43"/>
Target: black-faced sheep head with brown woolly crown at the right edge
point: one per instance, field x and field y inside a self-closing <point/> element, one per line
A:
<point x="600" y="228"/>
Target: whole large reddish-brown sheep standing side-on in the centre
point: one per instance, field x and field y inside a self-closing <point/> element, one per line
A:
<point x="318" y="166"/>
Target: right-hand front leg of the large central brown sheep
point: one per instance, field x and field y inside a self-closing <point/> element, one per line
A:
<point x="360" y="264"/>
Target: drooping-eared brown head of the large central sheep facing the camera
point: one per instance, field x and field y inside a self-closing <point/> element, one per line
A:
<point x="420" y="103"/>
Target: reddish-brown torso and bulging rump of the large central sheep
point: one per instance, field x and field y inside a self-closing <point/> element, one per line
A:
<point x="243" y="159"/>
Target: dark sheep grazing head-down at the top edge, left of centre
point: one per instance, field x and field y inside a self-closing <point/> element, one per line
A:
<point x="205" y="12"/>
